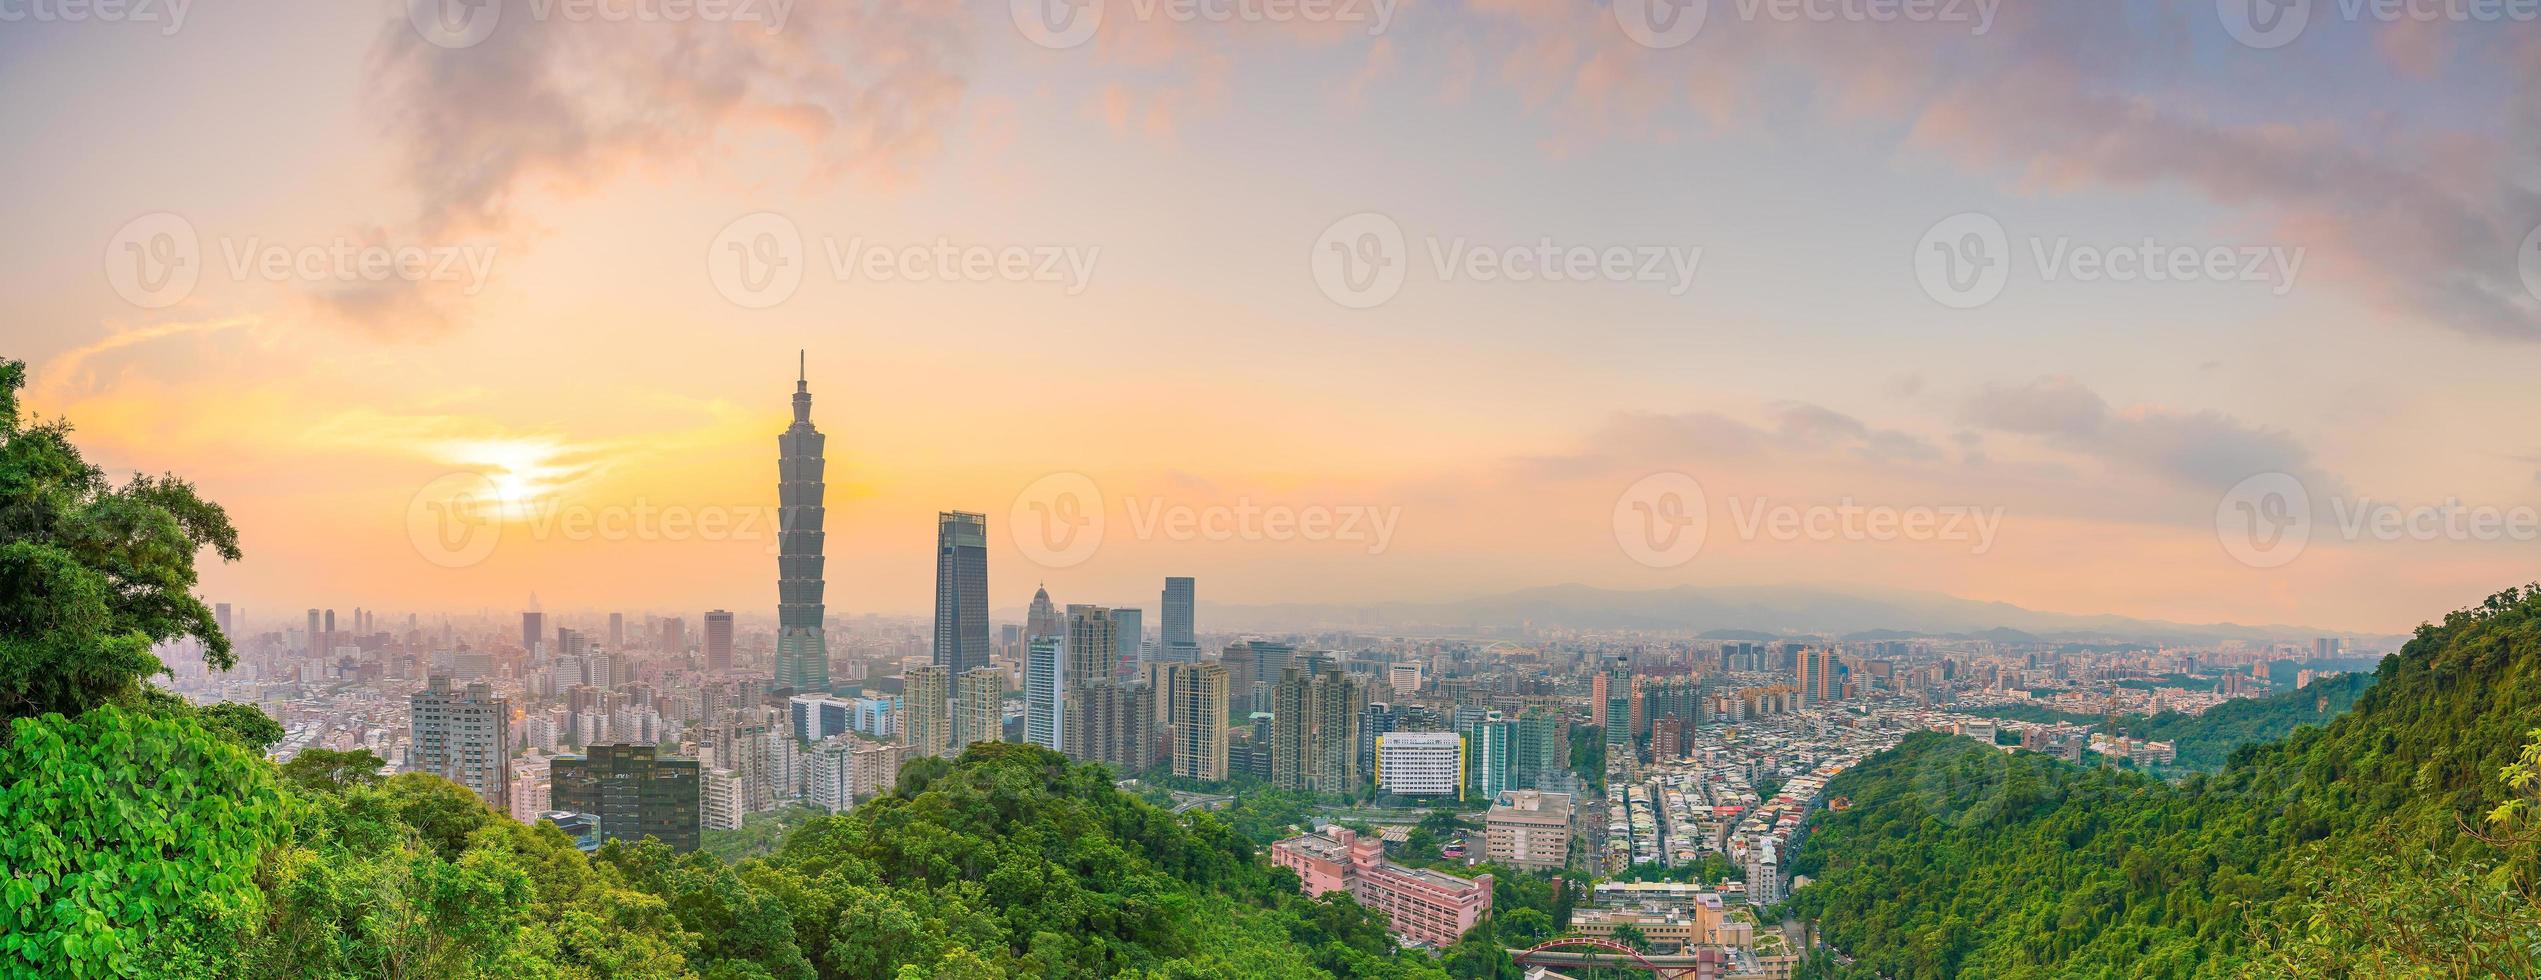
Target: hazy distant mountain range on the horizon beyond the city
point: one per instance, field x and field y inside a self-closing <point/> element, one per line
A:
<point x="1757" y="613"/>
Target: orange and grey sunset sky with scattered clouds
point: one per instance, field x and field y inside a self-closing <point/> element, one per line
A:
<point x="2181" y="311"/>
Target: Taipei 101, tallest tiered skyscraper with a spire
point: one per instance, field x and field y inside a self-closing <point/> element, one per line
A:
<point x="802" y="649"/>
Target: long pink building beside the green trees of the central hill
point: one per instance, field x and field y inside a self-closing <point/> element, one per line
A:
<point x="1419" y="905"/>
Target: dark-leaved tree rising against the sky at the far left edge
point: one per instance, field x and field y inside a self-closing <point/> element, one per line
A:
<point x="93" y="575"/>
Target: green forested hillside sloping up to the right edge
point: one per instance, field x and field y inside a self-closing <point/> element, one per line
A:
<point x="2387" y="844"/>
